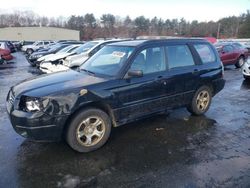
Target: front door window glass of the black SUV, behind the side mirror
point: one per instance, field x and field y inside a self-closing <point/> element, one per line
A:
<point x="150" y="60"/>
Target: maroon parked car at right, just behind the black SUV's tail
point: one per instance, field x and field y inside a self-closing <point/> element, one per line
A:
<point x="232" y="54"/>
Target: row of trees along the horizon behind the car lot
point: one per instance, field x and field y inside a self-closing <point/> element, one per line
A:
<point x="108" y="25"/>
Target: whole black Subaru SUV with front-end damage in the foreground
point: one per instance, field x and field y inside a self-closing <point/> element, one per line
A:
<point x="121" y="83"/>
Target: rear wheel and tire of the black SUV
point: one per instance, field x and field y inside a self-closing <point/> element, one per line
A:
<point x="198" y="107"/>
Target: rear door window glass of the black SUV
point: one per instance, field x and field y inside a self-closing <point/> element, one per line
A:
<point x="179" y="56"/>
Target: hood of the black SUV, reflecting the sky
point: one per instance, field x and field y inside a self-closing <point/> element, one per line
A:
<point x="54" y="83"/>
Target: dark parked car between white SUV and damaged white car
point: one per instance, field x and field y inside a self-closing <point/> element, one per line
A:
<point x="32" y="59"/>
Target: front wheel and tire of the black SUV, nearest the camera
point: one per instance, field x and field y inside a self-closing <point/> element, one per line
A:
<point x="83" y="136"/>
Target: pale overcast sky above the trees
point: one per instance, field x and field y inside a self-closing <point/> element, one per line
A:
<point x="201" y="10"/>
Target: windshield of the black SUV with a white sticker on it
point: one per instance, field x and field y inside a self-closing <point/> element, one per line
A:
<point x="108" y="61"/>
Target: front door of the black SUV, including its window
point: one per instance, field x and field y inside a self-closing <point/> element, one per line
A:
<point x="139" y="96"/>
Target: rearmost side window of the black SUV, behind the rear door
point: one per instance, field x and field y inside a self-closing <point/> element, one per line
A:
<point x="205" y="52"/>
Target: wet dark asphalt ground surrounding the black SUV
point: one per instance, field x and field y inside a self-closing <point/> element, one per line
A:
<point x="178" y="150"/>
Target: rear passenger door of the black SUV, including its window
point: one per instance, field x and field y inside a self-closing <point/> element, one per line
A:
<point x="183" y="75"/>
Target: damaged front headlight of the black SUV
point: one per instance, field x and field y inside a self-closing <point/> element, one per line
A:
<point x="33" y="104"/>
